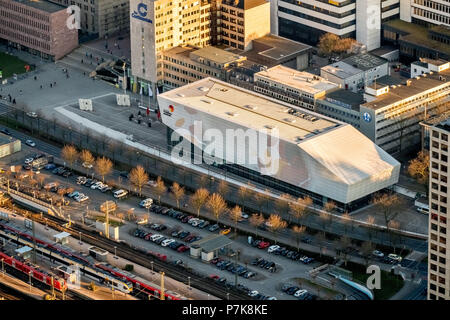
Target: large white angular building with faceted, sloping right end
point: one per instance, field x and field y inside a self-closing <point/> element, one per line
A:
<point x="310" y="154"/>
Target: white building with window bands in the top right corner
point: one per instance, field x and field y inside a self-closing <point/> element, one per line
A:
<point x="425" y="12"/>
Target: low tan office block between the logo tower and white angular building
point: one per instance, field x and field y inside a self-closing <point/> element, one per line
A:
<point x="183" y="65"/>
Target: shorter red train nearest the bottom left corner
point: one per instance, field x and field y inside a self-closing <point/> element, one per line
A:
<point x="40" y="275"/>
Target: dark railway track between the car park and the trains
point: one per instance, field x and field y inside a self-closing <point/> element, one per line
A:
<point x="128" y="252"/>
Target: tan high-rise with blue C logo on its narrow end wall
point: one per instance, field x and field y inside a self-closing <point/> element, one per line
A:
<point x="158" y="25"/>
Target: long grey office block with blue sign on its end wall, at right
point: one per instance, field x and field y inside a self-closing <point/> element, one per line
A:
<point x="392" y="114"/>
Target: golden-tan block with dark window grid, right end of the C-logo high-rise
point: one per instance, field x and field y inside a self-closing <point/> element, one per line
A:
<point x="242" y="21"/>
